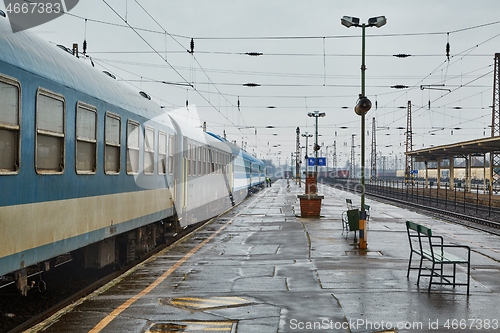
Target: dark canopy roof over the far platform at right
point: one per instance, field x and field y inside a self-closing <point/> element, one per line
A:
<point x="459" y="149"/>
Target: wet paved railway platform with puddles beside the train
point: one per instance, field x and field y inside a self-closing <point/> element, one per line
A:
<point x="263" y="268"/>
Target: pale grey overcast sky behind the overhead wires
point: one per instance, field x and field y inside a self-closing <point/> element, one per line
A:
<point x="309" y="62"/>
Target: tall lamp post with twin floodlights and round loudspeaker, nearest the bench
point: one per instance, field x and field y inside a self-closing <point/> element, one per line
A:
<point x="362" y="107"/>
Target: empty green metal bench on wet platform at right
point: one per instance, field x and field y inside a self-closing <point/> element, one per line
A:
<point x="431" y="249"/>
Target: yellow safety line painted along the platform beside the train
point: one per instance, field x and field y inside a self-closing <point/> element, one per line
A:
<point x="115" y="313"/>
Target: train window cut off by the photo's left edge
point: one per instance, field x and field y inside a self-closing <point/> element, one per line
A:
<point x="9" y="125"/>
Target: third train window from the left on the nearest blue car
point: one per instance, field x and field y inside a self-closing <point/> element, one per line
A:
<point x="86" y="143"/>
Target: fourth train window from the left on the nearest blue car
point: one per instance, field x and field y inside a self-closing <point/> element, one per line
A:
<point x="113" y="144"/>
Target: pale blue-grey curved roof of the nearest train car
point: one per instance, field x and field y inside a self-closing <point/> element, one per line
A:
<point x="33" y="54"/>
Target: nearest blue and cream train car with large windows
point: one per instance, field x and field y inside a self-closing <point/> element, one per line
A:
<point x="71" y="141"/>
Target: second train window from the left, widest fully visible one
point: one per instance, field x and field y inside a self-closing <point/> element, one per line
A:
<point x="50" y="132"/>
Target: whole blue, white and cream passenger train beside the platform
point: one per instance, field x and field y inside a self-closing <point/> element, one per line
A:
<point x="91" y="168"/>
